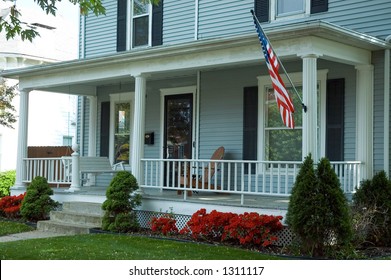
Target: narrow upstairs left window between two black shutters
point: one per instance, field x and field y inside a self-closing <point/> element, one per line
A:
<point x="140" y="23"/>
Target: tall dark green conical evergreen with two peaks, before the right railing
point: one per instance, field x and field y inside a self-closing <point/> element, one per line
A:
<point x="318" y="212"/>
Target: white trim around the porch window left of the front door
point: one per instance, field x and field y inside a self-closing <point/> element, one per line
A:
<point x="114" y="99"/>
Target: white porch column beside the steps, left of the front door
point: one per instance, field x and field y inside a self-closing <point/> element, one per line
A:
<point x="138" y="128"/>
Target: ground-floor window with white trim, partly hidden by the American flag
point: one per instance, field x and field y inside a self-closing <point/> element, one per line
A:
<point x="275" y="141"/>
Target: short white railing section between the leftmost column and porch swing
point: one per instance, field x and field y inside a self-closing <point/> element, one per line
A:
<point x="55" y="170"/>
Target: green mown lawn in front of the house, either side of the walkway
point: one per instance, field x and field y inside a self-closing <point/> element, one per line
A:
<point x="116" y="247"/>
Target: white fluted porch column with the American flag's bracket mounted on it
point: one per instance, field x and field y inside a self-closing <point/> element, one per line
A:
<point x="310" y="123"/>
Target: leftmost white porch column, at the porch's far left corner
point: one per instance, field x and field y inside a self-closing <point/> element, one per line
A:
<point x="22" y="139"/>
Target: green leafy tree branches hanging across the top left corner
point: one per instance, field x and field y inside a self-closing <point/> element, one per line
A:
<point x="12" y="26"/>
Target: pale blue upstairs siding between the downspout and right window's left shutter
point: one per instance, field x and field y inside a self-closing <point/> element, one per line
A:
<point x="224" y="18"/>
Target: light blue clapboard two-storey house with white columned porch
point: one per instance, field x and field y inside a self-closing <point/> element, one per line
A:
<point x="190" y="75"/>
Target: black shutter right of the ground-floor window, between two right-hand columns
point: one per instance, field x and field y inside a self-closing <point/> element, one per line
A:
<point x="335" y="100"/>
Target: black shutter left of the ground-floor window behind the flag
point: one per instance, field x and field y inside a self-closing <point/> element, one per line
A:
<point x="250" y="123"/>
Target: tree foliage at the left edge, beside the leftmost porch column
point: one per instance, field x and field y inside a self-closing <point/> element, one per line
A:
<point x="7" y="110"/>
